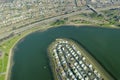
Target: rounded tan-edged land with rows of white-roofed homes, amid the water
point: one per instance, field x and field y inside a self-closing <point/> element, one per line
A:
<point x="69" y="61"/>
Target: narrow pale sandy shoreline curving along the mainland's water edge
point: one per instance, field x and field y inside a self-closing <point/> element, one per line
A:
<point x="30" y="31"/>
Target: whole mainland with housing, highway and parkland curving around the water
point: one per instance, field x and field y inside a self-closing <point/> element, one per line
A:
<point x="18" y="18"/>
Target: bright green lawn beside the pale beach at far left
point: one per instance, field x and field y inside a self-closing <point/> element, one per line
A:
<point x="5" y="47"/>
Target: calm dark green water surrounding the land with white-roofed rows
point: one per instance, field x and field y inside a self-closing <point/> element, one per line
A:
<point x="30" y="55"/>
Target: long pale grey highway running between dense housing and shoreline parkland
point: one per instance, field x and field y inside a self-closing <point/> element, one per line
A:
<point x="5" y="34"/>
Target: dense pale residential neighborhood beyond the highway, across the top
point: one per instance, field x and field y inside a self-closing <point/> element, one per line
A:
<point x="21" y="10"/>
